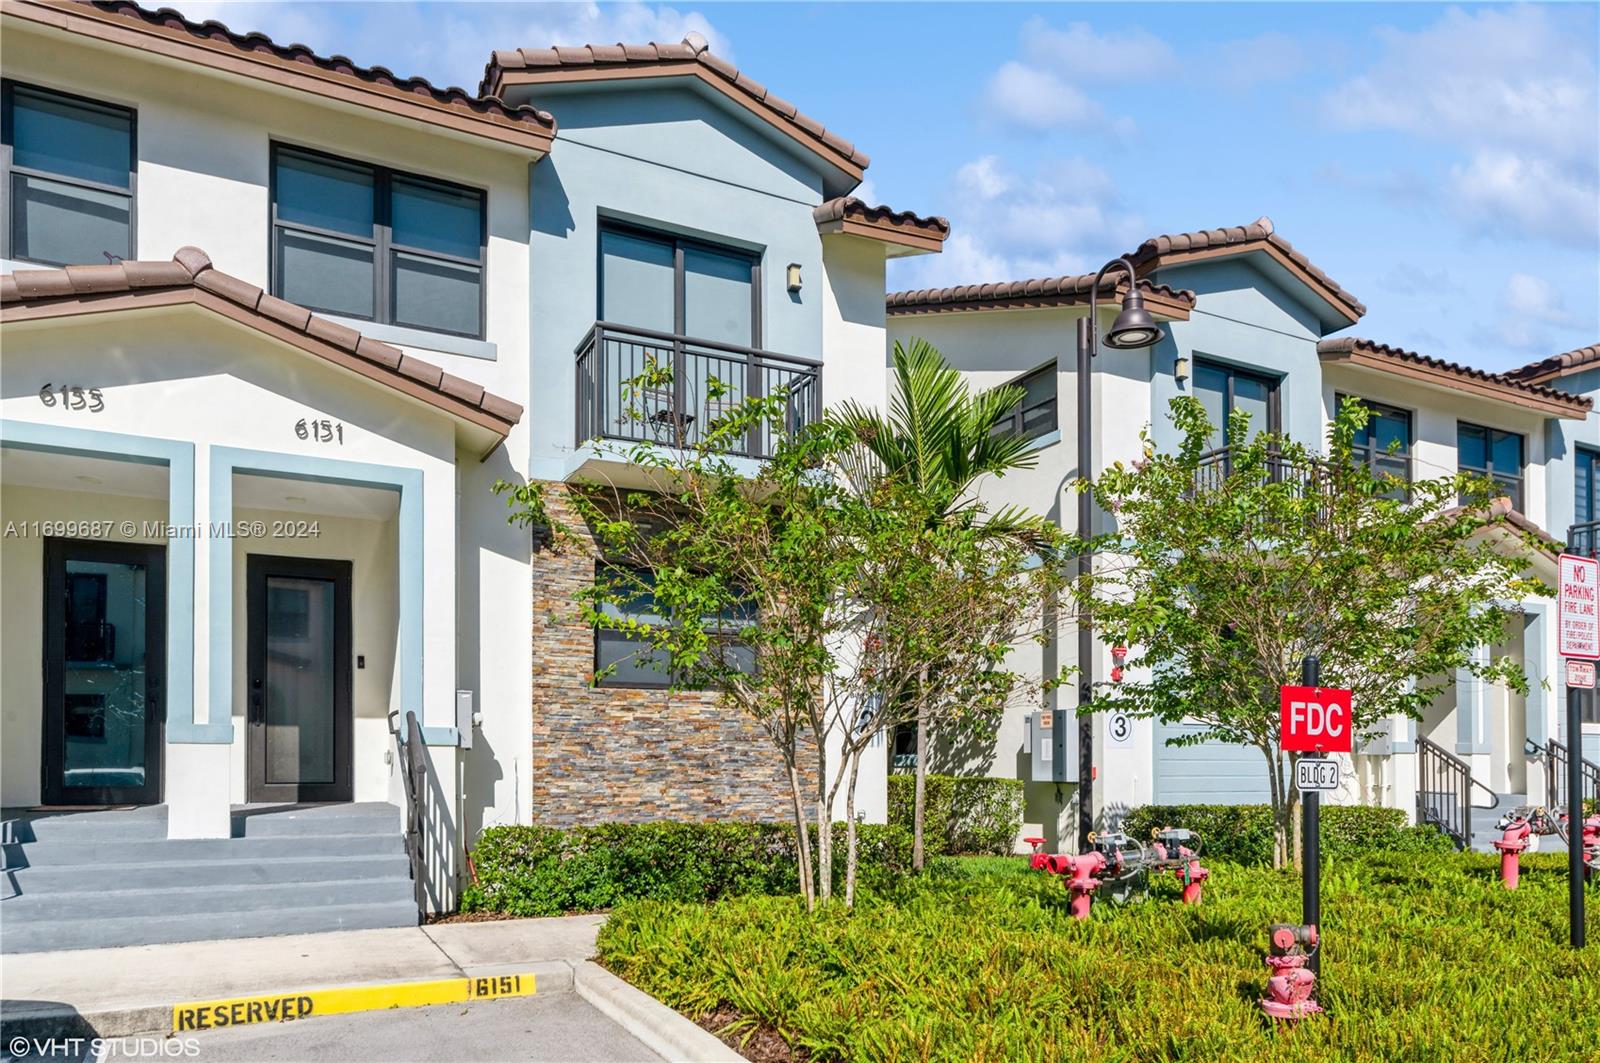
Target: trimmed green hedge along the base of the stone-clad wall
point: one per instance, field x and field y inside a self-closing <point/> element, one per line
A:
<point x="551" y="872"/>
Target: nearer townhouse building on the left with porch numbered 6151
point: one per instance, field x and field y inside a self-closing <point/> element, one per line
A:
<point x="274" y="326"/>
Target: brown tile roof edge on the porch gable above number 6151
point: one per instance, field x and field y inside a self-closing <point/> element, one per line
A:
<point x="191" y="270"/>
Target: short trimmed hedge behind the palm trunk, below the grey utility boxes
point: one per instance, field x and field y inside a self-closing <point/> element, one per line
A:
<point x="970" y="817"/>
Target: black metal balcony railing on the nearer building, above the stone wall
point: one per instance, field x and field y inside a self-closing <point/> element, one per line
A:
<point x="617" y="401"/>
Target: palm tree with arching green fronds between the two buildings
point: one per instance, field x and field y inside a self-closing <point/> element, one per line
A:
<point x="943" y="439"/>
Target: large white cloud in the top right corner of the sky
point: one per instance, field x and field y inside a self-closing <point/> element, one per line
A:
<point x="1516" y="94"/>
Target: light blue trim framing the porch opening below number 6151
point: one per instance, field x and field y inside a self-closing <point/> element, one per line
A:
<point x="226" y="462"/>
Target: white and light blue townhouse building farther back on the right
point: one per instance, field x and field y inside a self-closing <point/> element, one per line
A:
<point x="1250" y="326"/>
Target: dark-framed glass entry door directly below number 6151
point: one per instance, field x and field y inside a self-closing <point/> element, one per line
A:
<point x="300" y="680"/>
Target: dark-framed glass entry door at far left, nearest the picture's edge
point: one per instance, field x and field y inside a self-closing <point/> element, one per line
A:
<point x="105" y="670"/>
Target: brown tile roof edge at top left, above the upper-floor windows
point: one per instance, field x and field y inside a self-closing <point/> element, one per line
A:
<point x="212" y="42"/>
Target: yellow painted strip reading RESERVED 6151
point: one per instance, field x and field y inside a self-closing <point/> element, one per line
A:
<point x="281" y="1008"/>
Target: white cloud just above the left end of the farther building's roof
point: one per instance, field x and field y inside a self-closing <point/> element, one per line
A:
<point x="1060" y="219"/>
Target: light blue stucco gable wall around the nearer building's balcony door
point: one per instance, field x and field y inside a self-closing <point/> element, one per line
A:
<point x="666" y="158"/>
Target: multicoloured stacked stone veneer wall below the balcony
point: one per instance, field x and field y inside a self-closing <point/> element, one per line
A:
<point x="618" y="755"/>
